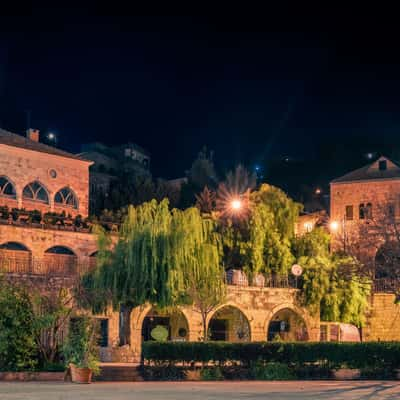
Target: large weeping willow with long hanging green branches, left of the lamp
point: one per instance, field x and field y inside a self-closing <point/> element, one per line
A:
<point x="162" y="257"/>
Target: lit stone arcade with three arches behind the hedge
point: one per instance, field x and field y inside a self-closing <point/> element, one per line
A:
<point x="249" y="314"/>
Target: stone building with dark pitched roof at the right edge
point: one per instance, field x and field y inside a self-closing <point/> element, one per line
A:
<point x="364" y="221"/>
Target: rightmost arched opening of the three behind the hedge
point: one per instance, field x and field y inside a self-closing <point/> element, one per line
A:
<point x="287" y="325"/>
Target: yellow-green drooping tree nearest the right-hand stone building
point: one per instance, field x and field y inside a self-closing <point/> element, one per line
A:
<point x="332" y="284"/>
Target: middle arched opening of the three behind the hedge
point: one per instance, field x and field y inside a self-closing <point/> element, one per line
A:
<point x="229" y="324"/>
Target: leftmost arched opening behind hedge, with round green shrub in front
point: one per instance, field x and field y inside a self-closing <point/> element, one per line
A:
<point x="161" y="325"/>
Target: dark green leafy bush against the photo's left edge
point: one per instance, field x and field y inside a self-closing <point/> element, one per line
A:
<point x="17" y="340"/>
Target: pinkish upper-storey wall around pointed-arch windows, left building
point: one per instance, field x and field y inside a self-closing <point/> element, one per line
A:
<point x="23" y="166"/>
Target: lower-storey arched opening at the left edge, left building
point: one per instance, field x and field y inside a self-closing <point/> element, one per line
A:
<point x="15" y="257"/>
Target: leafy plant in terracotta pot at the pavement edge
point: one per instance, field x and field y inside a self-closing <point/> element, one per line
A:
<point x="81" y="350"/>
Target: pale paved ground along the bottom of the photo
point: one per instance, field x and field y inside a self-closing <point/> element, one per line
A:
<point x="323" y="390"/>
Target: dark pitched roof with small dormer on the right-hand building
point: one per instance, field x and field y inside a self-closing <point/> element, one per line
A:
<point x="372" y="172"/>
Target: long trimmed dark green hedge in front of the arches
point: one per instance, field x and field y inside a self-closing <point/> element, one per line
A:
<point x="335" y="355"/>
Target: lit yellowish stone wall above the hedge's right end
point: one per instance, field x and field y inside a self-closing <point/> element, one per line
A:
<point x="384" y="320"/>
